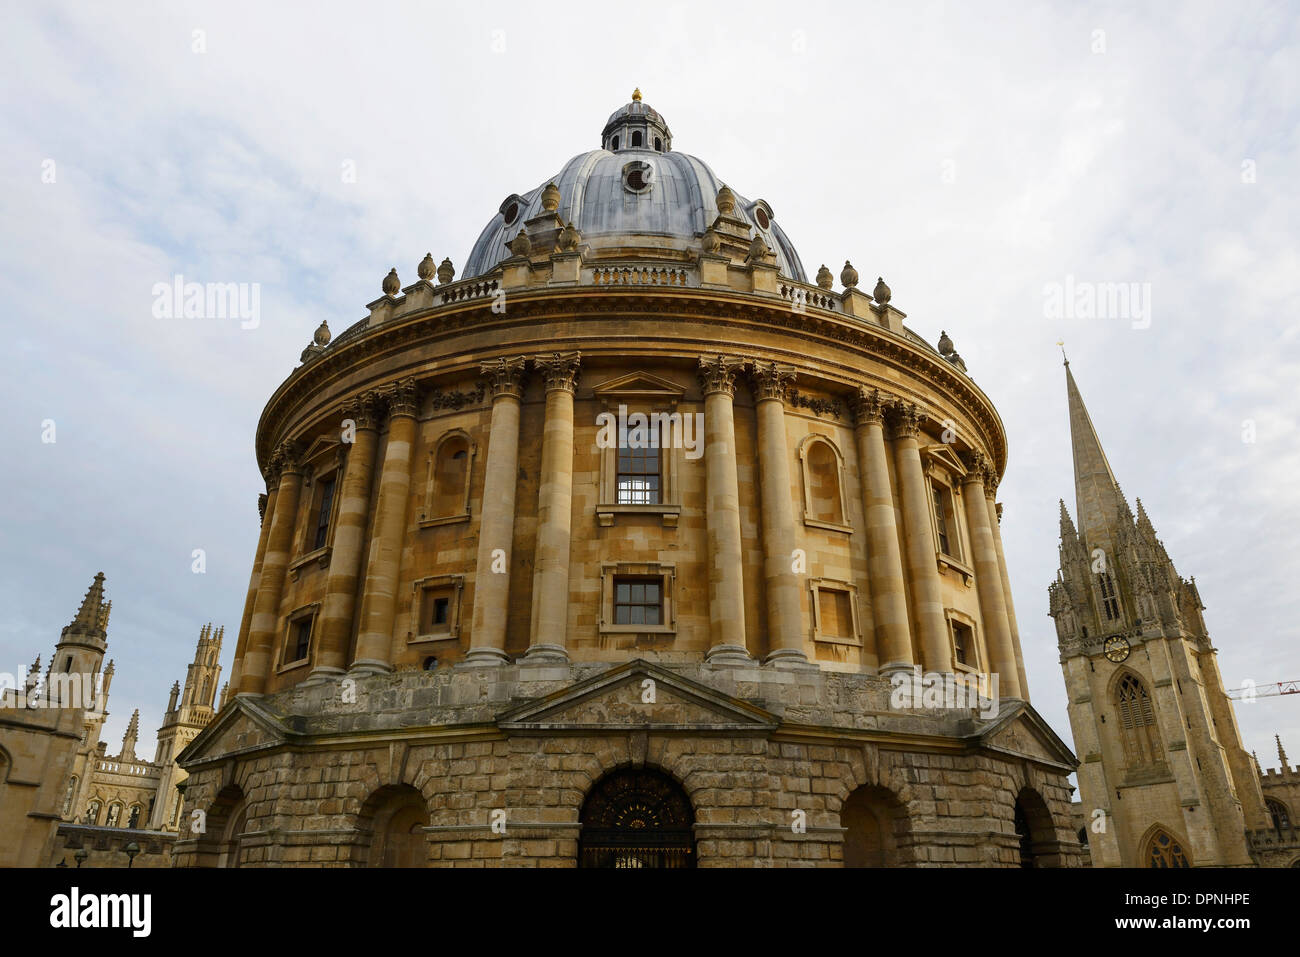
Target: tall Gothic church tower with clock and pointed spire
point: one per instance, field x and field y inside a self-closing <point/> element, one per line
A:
<point x="1164" y="777"/>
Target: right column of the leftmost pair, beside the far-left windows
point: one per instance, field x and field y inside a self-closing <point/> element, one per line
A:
<point x="266" y="614"/>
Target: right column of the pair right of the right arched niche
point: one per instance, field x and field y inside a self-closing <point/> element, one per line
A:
<point x="920" y="536"/>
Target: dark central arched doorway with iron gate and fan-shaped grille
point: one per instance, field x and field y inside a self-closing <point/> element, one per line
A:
<point x="638" y="819"/>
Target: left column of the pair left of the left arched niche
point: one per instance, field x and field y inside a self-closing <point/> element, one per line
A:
<point x="345" y="566"/>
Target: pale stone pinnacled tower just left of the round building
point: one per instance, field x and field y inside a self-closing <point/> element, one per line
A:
<point x="189" y="711"/>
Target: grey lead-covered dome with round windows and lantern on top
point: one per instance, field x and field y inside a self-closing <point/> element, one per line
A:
<point x="634" y="193"/>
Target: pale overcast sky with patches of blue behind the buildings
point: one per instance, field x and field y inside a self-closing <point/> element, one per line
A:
<point x="972" y="154"/>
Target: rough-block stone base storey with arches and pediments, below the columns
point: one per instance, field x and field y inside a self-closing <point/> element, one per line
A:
<point x="499" y="764"/>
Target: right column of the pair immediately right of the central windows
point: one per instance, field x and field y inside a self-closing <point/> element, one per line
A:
<point x="785" y="621"/>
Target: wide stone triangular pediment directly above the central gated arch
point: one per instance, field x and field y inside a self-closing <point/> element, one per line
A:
<point x="640" y="696"/>
